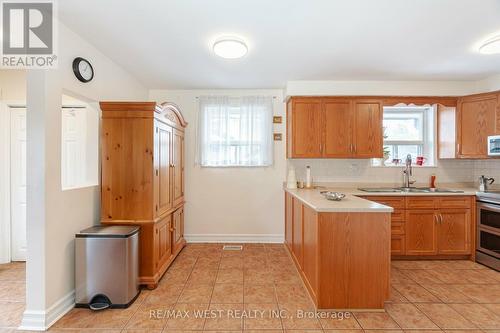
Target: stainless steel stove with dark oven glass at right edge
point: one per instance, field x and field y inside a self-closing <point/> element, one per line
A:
<point x="488" y="229"/>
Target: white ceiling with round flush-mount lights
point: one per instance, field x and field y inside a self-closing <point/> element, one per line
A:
<point x="167" y="44"/>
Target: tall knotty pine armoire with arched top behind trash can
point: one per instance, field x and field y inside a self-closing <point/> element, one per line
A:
<point x="142" y="170"/>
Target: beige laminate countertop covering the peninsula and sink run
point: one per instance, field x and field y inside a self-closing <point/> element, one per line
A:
<point x="352" y="201"/>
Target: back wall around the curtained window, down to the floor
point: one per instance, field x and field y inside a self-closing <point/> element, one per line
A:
<point x="230" y="204"/>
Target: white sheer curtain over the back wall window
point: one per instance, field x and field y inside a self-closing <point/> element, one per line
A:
<point x="235" y="131"/>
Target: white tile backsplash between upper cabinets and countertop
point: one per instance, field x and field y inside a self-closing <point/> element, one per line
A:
<point x="354" y="170"/>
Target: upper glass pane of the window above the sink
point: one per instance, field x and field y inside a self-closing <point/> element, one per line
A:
<point x="403" y="126"/>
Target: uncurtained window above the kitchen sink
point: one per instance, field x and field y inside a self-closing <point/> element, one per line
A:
<point x="408" y="130"/>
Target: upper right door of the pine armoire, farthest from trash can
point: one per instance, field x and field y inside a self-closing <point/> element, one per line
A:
<point x="178" y="167"/>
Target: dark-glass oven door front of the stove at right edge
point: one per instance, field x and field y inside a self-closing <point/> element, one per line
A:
<point x="488" y="229"/>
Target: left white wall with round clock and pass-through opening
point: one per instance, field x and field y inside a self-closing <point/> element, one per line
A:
<point x="55" y="216"/>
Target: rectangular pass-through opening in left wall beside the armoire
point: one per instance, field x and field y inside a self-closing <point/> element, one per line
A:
<point x="79" y="145"/>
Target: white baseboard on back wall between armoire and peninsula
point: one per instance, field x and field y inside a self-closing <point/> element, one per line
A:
<point x="234" y="238"/>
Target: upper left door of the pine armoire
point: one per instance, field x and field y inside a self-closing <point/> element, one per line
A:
<point x="163" y="165"/>
